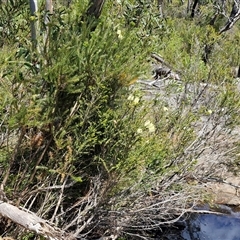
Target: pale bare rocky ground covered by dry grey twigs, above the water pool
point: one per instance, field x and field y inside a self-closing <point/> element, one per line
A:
<point x="215" y="146"/>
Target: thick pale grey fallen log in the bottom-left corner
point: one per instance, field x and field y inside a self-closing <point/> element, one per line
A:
<point x="32" y="222"/>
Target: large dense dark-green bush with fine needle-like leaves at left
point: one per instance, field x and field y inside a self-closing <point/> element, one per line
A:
<point x="67" y="101"/>
